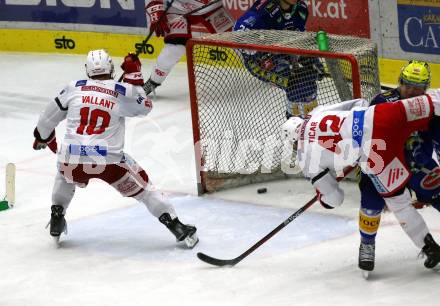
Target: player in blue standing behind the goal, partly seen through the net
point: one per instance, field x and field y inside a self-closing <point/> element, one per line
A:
<point x="296" y="75"/>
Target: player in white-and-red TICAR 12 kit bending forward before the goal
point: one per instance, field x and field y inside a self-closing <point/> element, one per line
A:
<point x="347" y="134"/>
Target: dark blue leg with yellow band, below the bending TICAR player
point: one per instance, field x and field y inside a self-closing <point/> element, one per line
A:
<point x="369" y="220"/>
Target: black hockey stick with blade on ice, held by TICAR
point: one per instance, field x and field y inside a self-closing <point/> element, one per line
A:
<point x="234" y="261"/>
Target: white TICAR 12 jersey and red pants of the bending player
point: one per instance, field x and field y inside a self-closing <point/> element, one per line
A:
<point x="348" y="134"/>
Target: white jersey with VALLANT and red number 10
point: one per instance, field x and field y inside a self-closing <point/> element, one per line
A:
<point x="95" y="112"/>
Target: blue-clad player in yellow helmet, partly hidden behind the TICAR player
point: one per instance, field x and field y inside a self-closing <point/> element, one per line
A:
<point x="414" y="80"/>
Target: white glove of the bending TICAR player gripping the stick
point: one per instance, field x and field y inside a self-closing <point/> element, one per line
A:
<point x="330" y="195"/>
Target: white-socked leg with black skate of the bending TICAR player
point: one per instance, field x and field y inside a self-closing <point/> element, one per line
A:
<point x="414" y="226"/>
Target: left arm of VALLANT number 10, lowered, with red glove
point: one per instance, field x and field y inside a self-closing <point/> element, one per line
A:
<point x="53" y="114"/>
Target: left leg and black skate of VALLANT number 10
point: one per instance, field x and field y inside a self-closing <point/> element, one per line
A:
<point x="62" y="195"/>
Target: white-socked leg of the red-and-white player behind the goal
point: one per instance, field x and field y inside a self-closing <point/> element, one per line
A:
<point x="173" y="50"/>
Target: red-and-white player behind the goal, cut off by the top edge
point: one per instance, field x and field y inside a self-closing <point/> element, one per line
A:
<point x="174" y="25"/>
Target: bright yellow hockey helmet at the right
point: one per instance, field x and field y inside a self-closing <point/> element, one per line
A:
<point x="416" y="73"/>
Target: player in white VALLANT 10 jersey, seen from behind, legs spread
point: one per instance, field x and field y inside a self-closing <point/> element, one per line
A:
<point x="95" y="110"/>
